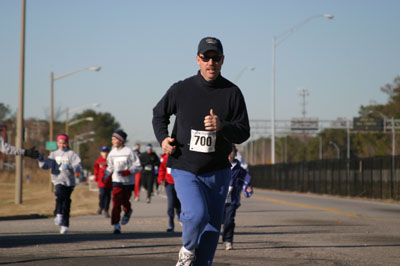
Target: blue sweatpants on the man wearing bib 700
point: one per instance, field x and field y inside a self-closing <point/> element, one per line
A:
<point x="202" y="200"/>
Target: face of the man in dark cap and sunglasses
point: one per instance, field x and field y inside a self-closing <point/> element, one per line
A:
<point x="211" y="69"/>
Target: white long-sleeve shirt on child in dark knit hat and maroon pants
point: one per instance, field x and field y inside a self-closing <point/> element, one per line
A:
<point x="120" y="159"/>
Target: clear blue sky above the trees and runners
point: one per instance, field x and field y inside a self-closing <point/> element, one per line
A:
<point x="145" y="46"/>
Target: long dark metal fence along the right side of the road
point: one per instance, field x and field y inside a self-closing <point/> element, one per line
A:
<point x="375" y="177"/>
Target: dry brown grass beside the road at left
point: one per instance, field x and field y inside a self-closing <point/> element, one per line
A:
<point x="38" y="197"/>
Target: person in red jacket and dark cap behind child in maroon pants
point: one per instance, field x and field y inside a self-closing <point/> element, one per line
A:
<point x="100" y="165"/>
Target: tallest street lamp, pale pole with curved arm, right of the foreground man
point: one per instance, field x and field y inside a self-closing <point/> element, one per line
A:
<point x="276" y="40"/>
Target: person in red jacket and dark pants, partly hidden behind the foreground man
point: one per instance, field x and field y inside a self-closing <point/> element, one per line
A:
<point x="174" y="205"/>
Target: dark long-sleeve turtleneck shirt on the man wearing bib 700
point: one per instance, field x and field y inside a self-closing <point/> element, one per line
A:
<point x="190" y="101"/>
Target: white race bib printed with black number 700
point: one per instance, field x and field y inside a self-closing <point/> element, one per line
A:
<point x="203" y="141"/>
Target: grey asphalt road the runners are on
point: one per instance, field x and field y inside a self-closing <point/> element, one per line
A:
<point x="272" y="228"/>
